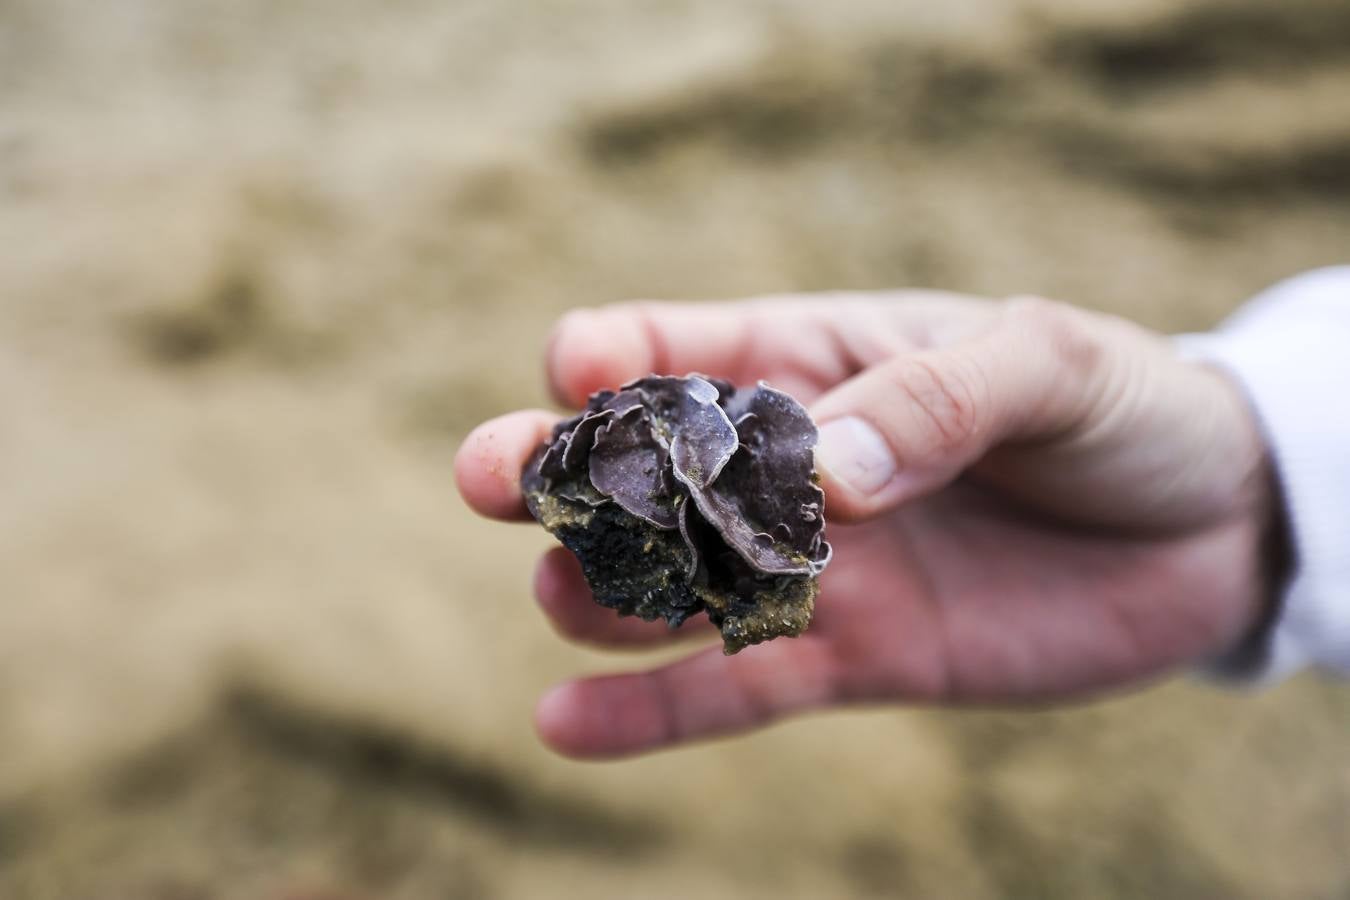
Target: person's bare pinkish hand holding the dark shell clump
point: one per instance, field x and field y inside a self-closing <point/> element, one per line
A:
<point x="1063" y="508"/>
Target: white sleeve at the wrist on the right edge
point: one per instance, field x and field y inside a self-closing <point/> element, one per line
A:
<point x="1290" y="350"/>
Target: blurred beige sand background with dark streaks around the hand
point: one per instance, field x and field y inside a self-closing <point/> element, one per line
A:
<point x="263" y="265"/>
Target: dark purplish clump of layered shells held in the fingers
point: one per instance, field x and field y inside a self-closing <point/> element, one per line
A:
<point x="672" y="511"/>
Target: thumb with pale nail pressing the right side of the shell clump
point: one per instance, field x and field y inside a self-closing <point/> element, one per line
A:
<point x="912" y="426"/>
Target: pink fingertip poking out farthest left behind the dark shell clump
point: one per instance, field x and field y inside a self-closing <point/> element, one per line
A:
<point x="489" y="462"/>
